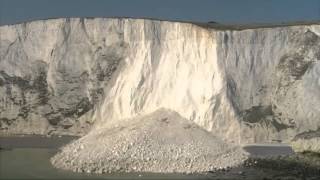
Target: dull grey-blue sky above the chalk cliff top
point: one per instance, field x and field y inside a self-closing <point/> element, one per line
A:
<point x="222" y="11"/>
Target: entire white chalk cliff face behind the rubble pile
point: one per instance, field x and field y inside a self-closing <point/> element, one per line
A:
<point x="64" y="75"/>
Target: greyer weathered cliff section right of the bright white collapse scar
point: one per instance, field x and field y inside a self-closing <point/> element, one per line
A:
<point x="273" y="80"/>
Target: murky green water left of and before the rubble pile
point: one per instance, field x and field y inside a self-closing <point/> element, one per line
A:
<point x="33" y="163"/>
